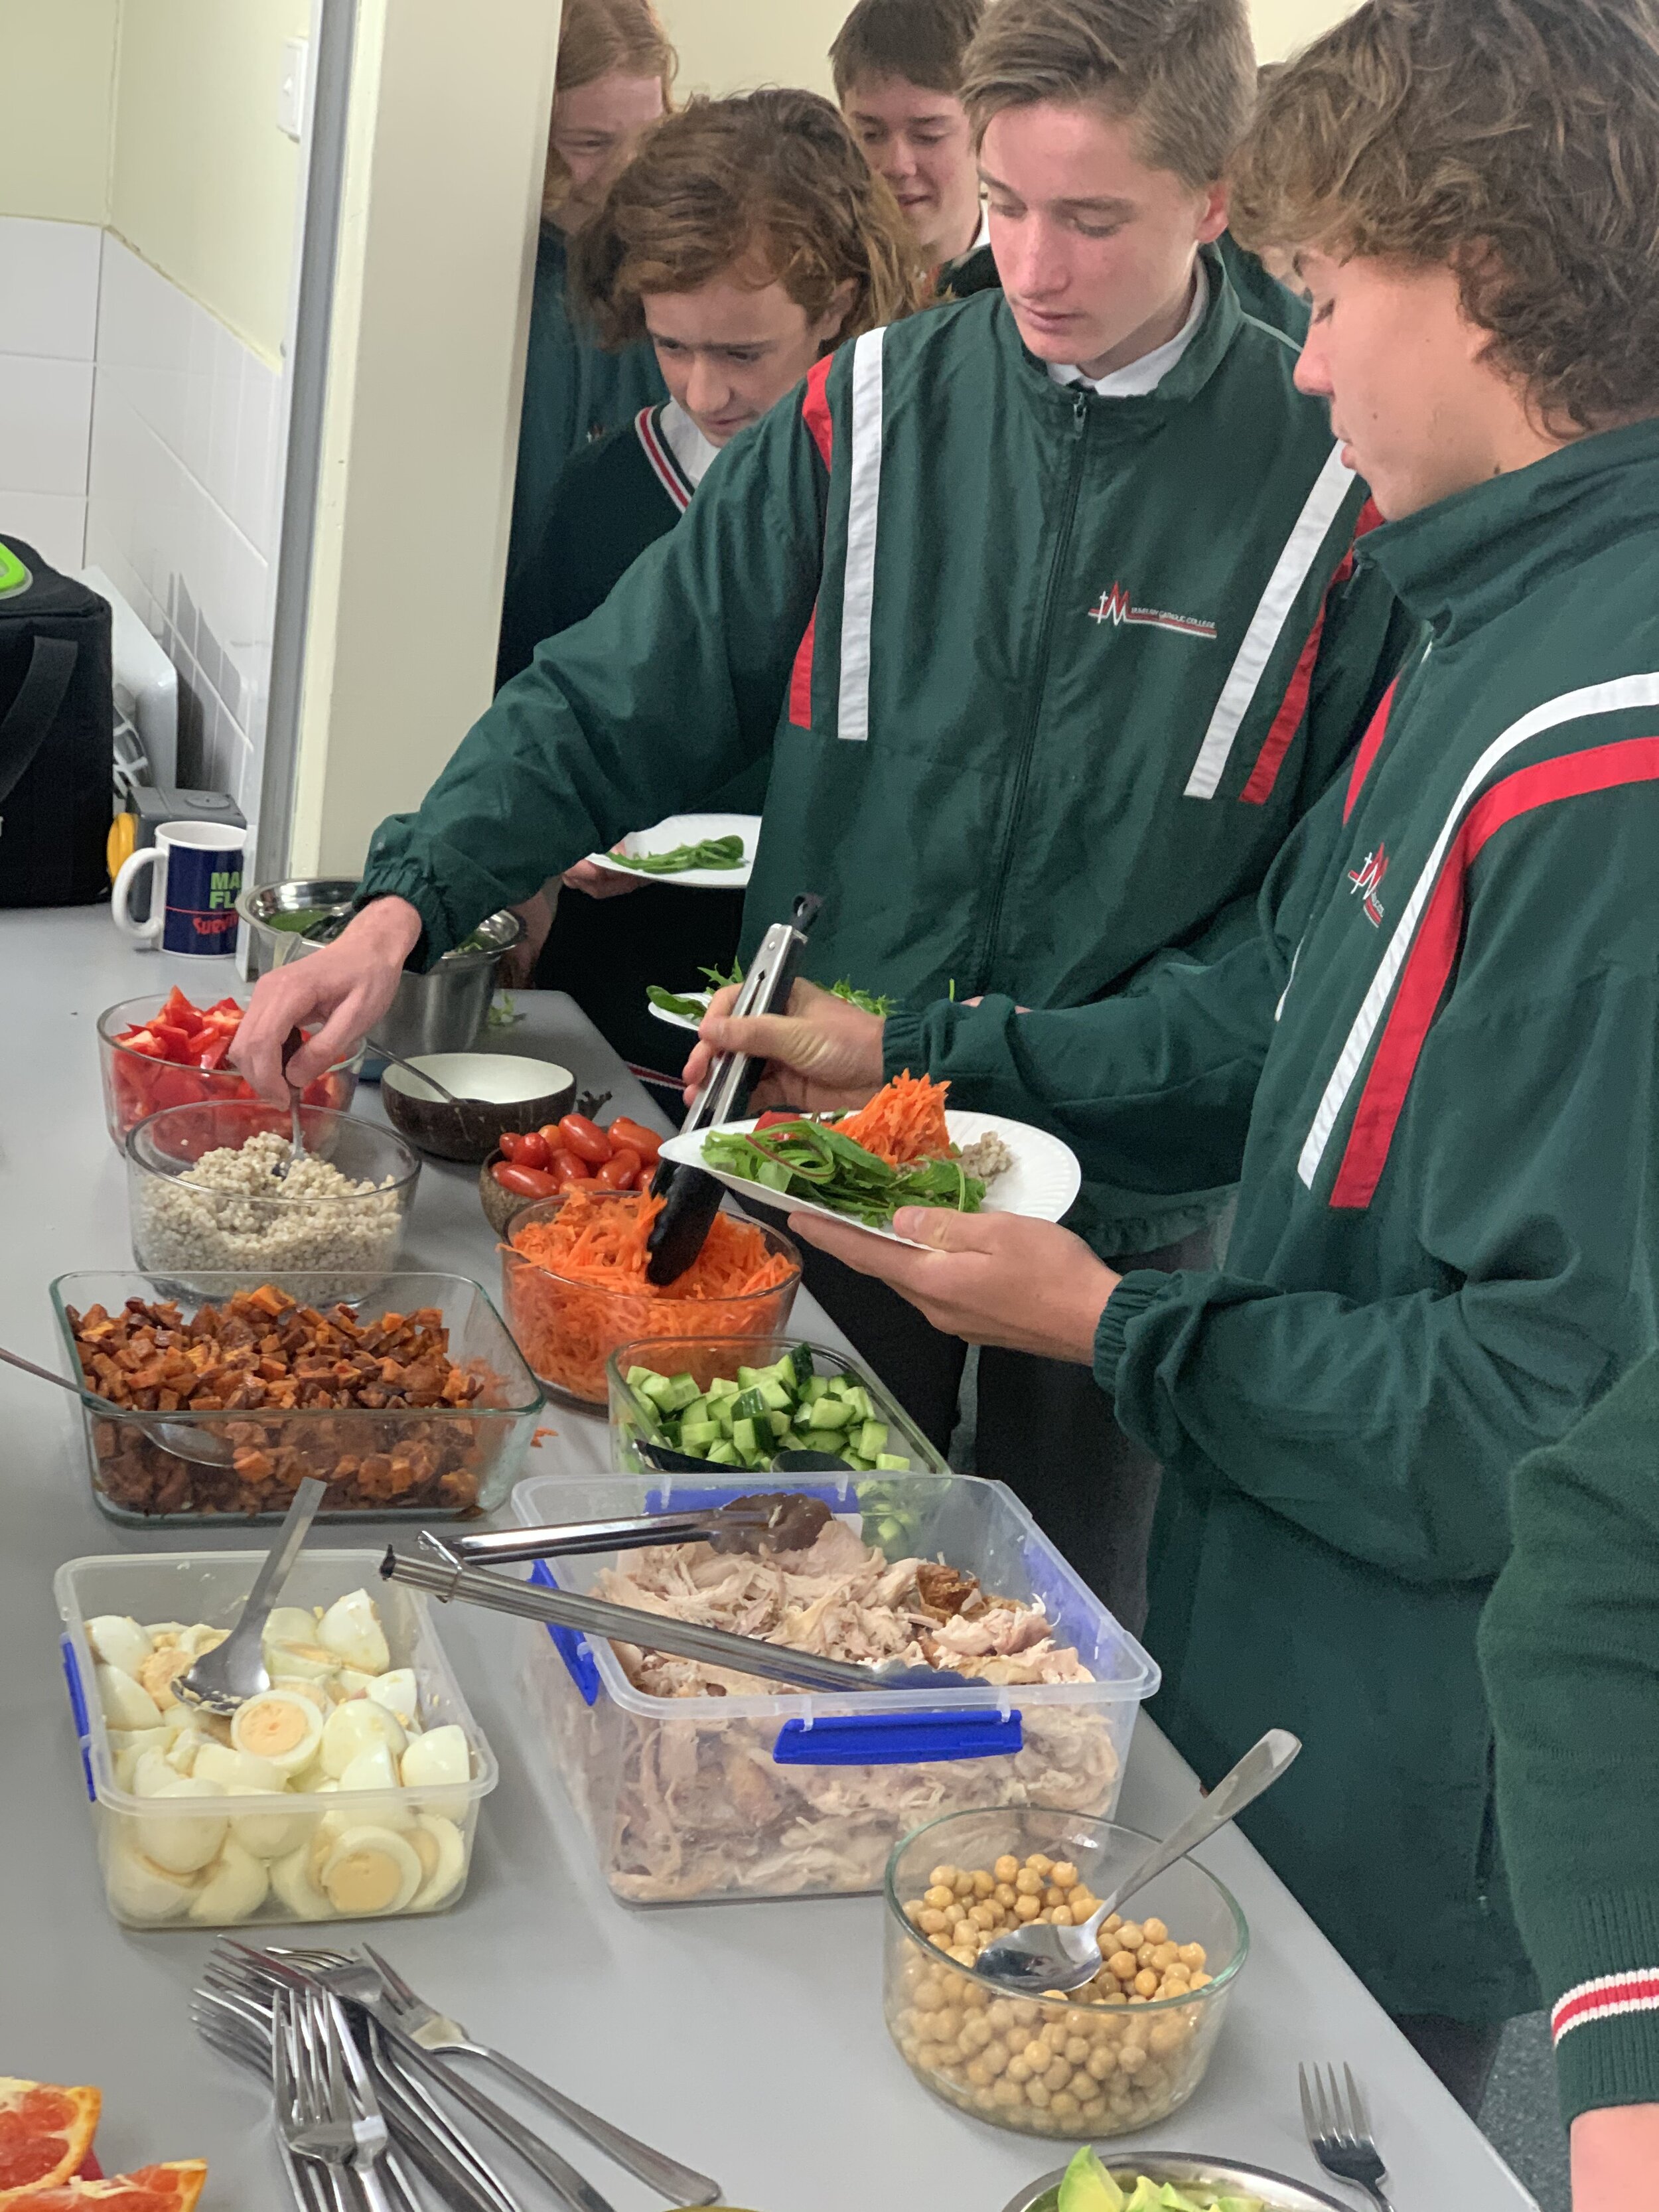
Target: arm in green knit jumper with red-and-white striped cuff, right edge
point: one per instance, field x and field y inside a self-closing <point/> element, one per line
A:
<point x="1569" y="1647"/>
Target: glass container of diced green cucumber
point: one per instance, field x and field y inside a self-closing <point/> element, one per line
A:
<point x="744" y="1401"/>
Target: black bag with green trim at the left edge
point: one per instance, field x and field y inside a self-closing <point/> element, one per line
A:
<point x="56" y="738"/>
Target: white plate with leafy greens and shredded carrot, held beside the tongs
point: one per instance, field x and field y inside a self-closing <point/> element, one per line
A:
<point x="904" y="1149"/>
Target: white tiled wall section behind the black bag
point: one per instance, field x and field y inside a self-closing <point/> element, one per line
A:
<point x="138" y="435"/>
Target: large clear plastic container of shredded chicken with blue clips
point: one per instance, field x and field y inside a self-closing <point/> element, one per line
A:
<point x="700" y="1786"/>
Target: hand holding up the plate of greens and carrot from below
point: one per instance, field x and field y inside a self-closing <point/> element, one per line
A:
<point x="990" y="1280"/>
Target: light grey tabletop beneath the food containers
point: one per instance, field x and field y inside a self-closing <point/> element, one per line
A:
<point x="744" y="2038"/>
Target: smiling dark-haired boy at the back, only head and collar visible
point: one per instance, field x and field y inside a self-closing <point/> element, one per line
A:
<point x="899" y="81"/>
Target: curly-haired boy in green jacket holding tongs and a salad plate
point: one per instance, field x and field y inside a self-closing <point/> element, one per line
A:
<point x="1437" y="1058"/>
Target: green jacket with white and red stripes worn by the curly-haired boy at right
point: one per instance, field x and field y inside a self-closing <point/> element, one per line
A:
<point x="1437" y="1067"/>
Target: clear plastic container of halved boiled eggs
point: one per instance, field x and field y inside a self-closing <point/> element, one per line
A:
<point x="348" y="1793"/>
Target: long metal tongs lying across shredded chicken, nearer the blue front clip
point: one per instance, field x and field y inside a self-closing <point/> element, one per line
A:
<point x="658" y="1634"/>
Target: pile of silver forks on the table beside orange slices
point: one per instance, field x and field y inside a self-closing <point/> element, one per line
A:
<point x="364" y="2085"/>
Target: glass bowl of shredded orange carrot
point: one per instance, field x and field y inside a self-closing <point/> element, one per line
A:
<point x="574" y="1286"/>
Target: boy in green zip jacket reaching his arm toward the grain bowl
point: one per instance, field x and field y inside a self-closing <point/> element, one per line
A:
<point x="1043" y="612"/>
